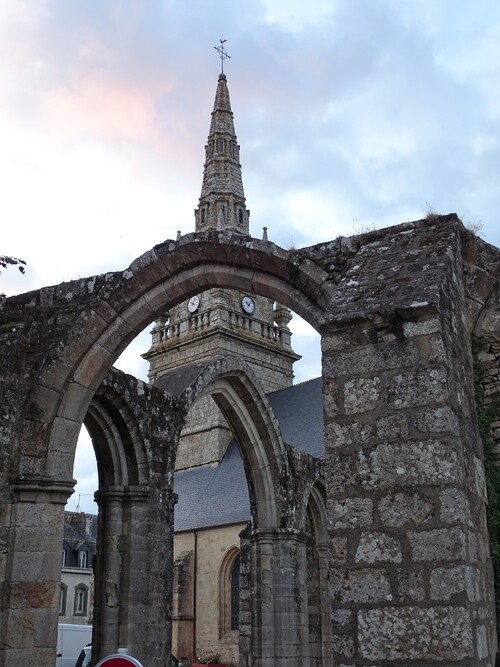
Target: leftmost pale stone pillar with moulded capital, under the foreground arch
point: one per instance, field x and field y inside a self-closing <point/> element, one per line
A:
<point x="33" y="573"/>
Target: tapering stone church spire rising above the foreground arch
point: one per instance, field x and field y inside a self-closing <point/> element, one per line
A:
<point x="222" y="199"/>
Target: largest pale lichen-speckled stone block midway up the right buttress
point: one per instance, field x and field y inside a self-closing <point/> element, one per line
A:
<point x="425" y="462"/>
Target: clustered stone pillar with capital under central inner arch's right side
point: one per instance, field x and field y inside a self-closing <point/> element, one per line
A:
<point x="280" y="633"/>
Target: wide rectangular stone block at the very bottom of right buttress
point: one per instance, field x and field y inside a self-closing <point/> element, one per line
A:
<point x="414" y="633"/>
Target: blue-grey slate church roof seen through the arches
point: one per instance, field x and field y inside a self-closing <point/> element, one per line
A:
<point x="217" y="495"/>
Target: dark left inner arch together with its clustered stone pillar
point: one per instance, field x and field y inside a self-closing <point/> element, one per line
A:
<point x="134" y="438"/>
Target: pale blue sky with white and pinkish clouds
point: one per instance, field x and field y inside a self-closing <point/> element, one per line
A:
<point x="351" y="115"/>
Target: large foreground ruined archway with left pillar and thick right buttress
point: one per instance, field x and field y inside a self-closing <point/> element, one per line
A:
<point x="400" y="423"/>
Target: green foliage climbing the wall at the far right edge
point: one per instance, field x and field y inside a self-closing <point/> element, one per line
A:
<point x="486" y="416"/>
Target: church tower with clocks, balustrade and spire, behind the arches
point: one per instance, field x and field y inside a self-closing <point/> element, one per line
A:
<point x="221" y="322"/>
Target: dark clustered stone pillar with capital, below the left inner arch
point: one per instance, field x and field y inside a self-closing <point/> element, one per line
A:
<point x="134" y="571"/>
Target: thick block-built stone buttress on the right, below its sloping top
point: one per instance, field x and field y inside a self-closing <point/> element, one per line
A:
<point x="409" y="566"/>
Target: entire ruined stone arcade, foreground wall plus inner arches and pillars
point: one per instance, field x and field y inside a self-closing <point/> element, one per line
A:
<point x="408" y="544"/>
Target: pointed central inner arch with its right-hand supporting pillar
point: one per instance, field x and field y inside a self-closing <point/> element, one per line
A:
<point x="273" y="543"/>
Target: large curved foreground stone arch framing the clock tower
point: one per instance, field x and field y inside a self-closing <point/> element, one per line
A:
<point x="121" y="305"/>
